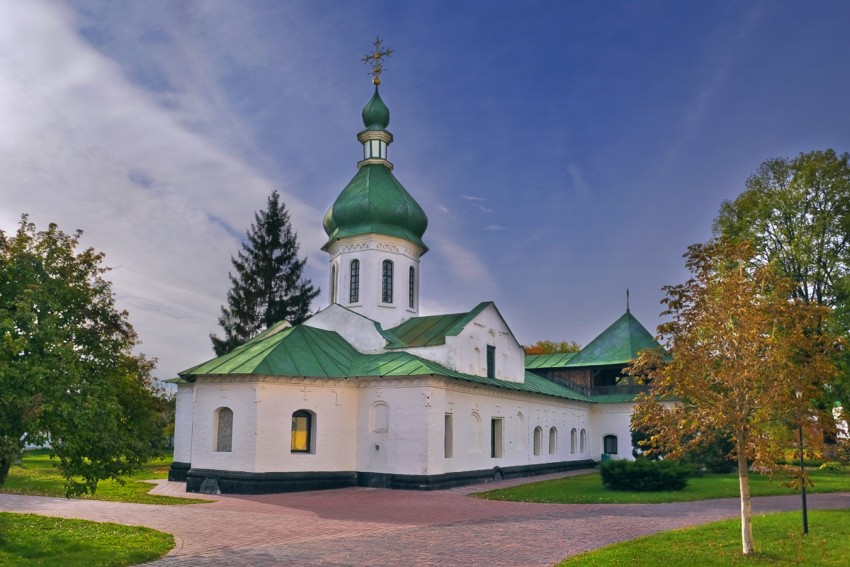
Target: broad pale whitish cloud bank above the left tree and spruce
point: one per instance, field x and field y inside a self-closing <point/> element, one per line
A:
<point x="87" y="148"/>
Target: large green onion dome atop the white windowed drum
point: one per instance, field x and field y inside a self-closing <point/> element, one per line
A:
<point x="375" y="202"/>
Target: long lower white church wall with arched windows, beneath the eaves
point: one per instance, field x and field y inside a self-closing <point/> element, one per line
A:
<point x="410" y="441"/>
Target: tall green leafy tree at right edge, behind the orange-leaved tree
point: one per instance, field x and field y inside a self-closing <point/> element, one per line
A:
<point x="796" y="214"/>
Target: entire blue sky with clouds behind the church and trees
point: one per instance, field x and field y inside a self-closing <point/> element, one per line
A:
<point x="563" y="151"/>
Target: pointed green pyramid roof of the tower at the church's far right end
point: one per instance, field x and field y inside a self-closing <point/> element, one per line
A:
<point x="618" y="344"/>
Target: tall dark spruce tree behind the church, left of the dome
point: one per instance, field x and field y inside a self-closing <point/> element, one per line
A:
<point x="267" y="285"/>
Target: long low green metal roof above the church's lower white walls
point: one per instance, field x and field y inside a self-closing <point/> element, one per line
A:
<point x="309" y="352"/>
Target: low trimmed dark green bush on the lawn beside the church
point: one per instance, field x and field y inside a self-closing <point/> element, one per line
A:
<point x="643" y="475"/>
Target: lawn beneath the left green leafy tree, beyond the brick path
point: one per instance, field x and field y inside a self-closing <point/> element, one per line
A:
<point x="37" y="475"/>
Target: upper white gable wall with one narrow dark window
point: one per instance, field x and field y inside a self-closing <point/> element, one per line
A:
<point x="459" y="352"/>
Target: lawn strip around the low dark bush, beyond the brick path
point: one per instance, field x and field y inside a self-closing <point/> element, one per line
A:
<point x="588" y="489"/>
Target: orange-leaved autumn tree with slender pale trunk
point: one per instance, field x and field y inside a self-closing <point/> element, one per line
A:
<point x="745" y="360"/>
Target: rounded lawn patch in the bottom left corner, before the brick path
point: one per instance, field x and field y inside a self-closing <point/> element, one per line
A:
<point x="27" y="540"/>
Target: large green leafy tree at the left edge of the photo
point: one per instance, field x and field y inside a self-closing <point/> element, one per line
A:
<point x="68" y="375"/>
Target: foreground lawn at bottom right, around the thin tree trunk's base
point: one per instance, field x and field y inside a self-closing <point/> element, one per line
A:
<point x="778" y="541"/>
